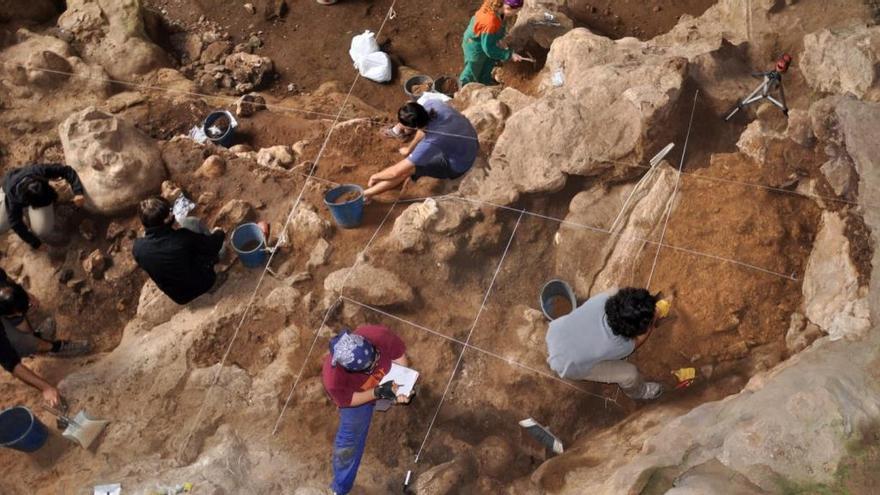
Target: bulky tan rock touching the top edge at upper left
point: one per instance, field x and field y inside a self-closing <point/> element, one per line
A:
<point x="113" y="35"/>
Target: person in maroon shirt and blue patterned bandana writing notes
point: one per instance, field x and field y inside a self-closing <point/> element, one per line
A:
<point x="351" y="374"/>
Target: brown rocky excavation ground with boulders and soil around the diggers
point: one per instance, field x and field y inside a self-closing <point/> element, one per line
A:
<point x="767" y="251"/>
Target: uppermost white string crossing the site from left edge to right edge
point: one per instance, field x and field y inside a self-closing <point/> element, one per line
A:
<point x="285" y="108"/>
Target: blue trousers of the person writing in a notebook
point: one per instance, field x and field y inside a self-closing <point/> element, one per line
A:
<point x="348" y="448"/>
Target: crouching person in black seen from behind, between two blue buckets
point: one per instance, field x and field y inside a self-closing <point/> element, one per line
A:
<point x="180" y="261"/>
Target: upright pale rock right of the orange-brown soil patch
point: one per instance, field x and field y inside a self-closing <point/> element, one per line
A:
<point x="833" y="299"/>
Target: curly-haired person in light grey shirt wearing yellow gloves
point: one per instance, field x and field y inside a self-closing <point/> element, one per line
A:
<point x="591" y="342"/>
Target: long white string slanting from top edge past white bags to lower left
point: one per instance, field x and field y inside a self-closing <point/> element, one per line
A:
<point x="265" y="270"/>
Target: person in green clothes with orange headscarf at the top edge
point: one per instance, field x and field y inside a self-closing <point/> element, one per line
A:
<point x="482" y="41"/>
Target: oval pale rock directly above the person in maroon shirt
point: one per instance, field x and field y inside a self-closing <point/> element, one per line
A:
<point x="369" y="285"/>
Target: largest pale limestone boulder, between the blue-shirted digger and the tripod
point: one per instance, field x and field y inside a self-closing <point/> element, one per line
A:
<point x="613" y="93"/>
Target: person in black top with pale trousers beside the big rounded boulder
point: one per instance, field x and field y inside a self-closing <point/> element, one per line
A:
<point x="28" y="188"/>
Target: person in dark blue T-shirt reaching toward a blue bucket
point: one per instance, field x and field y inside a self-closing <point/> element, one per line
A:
<point x="444" y="147"/>
